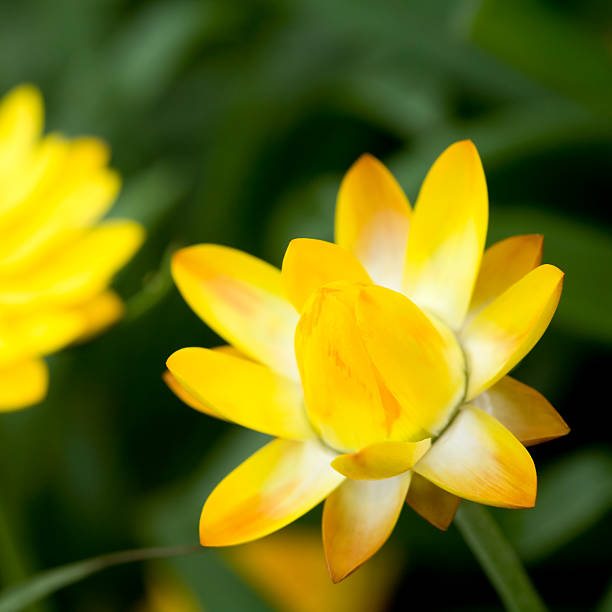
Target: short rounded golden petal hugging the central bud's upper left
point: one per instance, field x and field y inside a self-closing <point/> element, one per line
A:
<point x="310" y="264"/>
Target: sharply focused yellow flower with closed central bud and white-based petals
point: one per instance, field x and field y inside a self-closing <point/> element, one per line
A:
<point x="392" y="385"/>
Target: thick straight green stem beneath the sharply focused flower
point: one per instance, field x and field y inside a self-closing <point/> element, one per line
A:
<point x="498" y="559"/>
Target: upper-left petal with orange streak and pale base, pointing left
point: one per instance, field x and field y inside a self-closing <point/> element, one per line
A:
<point x="242" y="299"/>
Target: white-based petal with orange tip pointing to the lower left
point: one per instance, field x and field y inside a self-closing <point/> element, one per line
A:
<point x="275" y="486"/>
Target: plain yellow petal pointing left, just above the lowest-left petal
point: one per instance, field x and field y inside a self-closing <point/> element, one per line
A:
<point x="245" y="392"/>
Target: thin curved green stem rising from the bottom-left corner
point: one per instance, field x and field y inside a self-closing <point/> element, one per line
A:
<point x="47" y="582"/>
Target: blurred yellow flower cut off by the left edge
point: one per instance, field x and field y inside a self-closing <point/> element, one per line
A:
<point x="56" y="260"/>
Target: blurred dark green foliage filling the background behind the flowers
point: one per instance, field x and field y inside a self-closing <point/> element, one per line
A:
<point x="233" y="123"/>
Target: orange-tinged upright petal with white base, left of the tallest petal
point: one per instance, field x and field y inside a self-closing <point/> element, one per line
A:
<point x="372" y="220"/>
